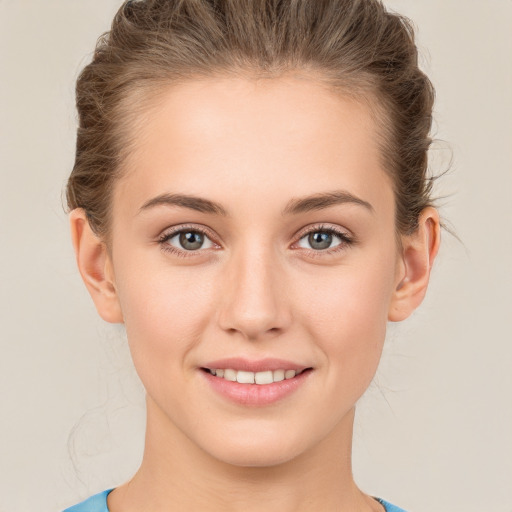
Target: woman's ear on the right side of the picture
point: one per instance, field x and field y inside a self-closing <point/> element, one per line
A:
<point x="418" y="252"/>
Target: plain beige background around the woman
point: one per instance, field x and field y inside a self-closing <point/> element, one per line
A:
<point x="433" y="433"/>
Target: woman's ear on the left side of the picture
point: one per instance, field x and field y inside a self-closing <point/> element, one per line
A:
<point x="95" y="266"/>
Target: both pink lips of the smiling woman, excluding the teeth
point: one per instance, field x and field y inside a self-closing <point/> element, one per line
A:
<point x="255" y="395"/>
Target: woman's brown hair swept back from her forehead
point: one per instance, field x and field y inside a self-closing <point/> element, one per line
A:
<point x="355" y="45"/>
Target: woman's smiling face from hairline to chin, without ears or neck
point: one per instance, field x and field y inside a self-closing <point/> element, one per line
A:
<point x="253" y="232"/>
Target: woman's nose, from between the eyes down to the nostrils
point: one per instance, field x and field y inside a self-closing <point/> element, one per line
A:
<point x="254" y="300"/>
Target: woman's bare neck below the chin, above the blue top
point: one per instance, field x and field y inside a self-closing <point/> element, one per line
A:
<point x="176" y="475"/>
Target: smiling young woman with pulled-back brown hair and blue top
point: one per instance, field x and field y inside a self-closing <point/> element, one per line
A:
<point x="250" y="200"/>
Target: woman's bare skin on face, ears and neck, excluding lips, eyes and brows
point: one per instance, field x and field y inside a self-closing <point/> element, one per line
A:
<point x="257" y="288"/>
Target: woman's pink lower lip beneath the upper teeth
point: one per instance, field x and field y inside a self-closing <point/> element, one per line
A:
<point x="255" y="395"/>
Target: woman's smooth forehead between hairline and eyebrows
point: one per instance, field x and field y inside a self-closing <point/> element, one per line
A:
<point x="237" y="138"/>
